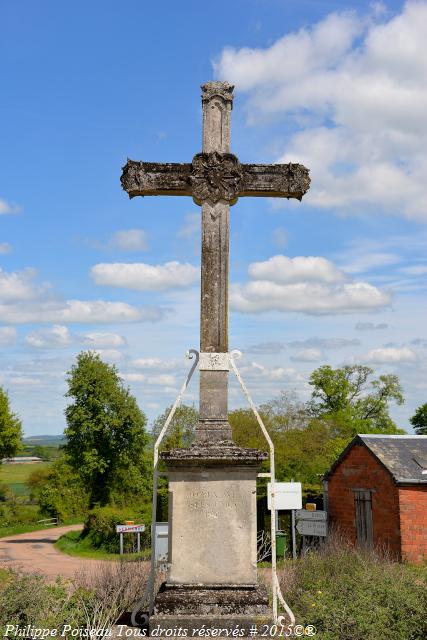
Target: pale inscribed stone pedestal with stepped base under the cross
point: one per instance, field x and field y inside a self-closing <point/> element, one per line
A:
<point x="212" y="545"/>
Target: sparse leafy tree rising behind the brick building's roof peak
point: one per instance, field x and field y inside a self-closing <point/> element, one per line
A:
<point x="353" y="403"/>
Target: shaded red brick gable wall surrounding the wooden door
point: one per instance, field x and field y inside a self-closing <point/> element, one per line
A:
<point x="361" y="470"/>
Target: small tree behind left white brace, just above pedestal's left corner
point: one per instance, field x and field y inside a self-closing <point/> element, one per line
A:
<point x="181" y="430"/>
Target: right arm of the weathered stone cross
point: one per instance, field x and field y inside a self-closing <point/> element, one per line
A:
<point x="274" y="180"/>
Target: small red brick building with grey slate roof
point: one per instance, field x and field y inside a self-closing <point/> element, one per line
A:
<point x="376" y="492"/>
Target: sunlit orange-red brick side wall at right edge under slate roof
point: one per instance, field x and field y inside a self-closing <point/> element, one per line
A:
<point x="413" y="522"/>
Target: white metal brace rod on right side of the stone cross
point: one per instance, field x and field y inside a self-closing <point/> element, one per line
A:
<point x="277" y="593"/>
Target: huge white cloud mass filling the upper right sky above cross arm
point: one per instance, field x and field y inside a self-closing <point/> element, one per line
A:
<point x="357" y="87"/>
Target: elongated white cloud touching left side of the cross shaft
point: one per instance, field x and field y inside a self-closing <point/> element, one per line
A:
<point x="145" y="277"/>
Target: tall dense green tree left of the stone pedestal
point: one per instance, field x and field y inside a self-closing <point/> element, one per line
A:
<point x="105" y="431"/>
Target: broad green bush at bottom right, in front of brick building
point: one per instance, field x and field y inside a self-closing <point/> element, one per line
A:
<point x="352" y="595"/>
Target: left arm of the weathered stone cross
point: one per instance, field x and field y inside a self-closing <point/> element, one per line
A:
<point x="156" y="179"/>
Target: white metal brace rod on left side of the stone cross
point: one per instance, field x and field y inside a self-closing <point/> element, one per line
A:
<point x="149" y="590"/>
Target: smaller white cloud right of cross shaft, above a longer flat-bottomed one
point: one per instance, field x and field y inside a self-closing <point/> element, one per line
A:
<point x="281" y="270"/>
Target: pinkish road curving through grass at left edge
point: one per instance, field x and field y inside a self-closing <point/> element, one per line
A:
<point x="35" y="551"/>
